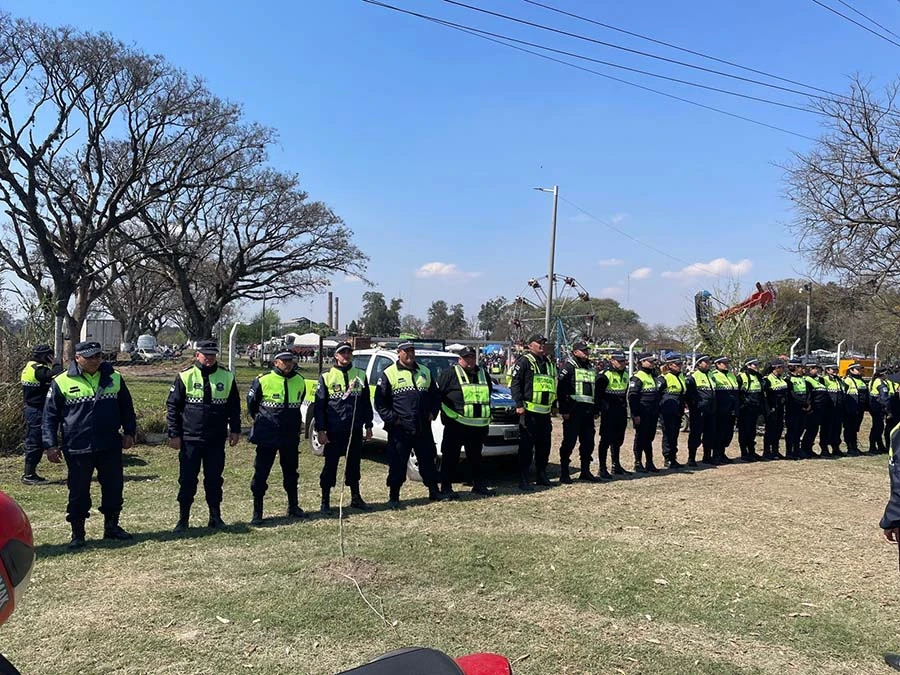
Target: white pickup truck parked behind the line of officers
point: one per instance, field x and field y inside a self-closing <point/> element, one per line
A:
<point x="503" y="434"/>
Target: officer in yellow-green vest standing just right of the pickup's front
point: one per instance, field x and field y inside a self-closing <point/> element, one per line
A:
<point x="533" y="388"/>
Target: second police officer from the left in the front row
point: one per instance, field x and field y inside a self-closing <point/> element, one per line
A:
<point x="202" y="406"/>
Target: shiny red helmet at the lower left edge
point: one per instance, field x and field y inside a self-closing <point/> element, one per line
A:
<point x="16" y="555"/>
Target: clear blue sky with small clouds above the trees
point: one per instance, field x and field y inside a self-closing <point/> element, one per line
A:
<point x="428" y="141"/>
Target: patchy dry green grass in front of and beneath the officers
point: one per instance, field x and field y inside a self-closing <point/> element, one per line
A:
<point x="764" y="568"/>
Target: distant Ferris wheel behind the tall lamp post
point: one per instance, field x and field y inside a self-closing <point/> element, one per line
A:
<point x="528" y="313"/>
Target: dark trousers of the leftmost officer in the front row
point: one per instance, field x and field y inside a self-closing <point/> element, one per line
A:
<point x="81" y="466"/>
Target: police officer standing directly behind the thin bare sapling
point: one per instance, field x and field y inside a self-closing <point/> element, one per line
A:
<point x="342" y="409"/>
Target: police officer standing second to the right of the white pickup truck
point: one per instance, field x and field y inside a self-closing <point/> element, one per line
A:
<point x="576" y="406"/>
